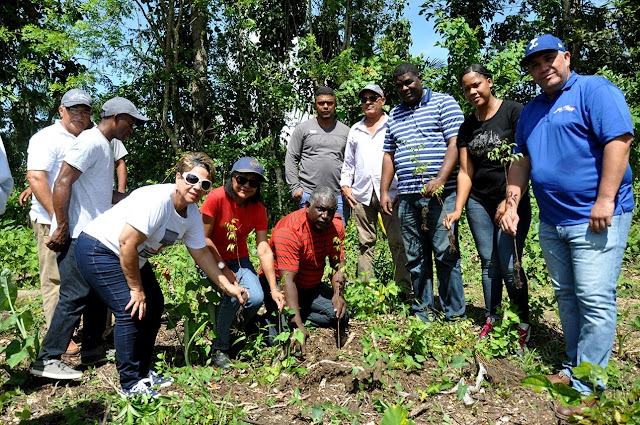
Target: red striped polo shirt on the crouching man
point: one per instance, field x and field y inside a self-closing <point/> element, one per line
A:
<point x="297" y="248"/>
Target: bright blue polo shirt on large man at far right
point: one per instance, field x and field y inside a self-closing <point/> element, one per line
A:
<point x="565" y="137"/>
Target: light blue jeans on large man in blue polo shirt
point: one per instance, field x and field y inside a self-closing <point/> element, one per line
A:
<point x="584" y="269"/>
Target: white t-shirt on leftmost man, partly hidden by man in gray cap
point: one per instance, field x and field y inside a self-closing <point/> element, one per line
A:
<point x="46" y="151"/>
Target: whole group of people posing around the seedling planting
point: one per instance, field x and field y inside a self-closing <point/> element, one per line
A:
<point x="418" y="167"/>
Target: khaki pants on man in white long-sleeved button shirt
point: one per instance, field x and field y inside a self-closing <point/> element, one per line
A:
<point x="366" y="219"/>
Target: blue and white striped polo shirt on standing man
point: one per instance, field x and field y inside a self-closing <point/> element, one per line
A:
<point x="418" y="137"/>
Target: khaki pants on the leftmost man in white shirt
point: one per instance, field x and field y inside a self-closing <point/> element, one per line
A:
<point x="49" y="275"/>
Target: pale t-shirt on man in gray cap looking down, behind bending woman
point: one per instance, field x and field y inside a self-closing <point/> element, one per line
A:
<point x="91" y="194"/>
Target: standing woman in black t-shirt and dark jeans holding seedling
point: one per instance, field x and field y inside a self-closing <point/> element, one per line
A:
<point x="481" y="186"/>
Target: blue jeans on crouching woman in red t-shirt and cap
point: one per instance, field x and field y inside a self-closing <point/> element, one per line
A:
<point x="226" y="311"/>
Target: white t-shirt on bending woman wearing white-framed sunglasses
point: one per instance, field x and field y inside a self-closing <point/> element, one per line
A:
<point x="151" y="211"/>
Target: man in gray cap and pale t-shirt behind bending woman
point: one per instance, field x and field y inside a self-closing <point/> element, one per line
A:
<point x="82" y="191"/>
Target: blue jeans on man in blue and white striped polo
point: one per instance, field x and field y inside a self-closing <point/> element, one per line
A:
<point x="420" y="246"/>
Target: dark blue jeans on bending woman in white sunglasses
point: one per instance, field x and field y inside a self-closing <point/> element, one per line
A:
<point x="134" y="338"/>
